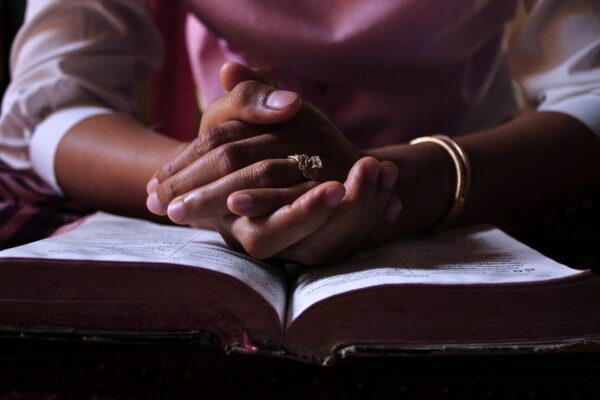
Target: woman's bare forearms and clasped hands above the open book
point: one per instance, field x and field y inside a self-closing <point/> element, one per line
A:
<point x="534" y="164"/>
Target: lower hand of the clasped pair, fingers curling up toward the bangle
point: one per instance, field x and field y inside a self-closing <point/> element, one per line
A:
<point x="323" y="225"/>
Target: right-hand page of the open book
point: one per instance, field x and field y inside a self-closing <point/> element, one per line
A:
<point x="482" y="255"/>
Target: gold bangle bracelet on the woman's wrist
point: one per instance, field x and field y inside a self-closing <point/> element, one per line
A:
<point x="463" y="175"/>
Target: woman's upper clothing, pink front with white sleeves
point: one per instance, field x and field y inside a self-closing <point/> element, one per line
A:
<point x="383" y="70"/>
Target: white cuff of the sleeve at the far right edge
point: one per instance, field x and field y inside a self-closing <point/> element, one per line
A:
<point x="584" y="108"/>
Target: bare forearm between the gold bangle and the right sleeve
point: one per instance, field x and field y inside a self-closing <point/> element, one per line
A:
<point x="533" y="165"/>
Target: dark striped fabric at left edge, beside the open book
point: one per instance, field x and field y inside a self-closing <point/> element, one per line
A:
<point x="29" y="209"/>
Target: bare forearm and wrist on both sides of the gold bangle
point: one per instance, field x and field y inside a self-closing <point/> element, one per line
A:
<point x="521" y="169"/>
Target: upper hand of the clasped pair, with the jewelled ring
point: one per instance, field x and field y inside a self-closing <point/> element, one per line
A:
<point x="244" y="142"/>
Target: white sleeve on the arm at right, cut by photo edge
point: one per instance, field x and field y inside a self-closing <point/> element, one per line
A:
<point x="556" y="58"/>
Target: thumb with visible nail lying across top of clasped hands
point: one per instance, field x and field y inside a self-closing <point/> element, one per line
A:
<point x="252" y="102"/>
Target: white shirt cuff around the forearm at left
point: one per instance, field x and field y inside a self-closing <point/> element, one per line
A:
<point x="48" y="134"/>
